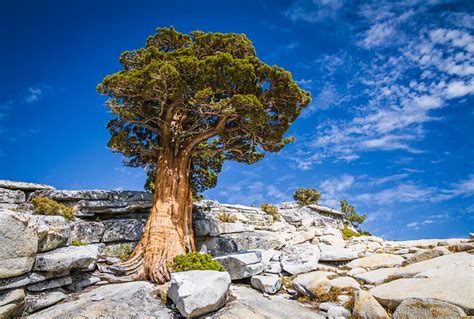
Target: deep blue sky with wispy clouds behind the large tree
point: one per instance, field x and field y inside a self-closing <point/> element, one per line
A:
<point x="390" y="126"/>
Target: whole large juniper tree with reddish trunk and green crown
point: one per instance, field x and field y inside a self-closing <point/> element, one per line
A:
<point x="183" y="104"/>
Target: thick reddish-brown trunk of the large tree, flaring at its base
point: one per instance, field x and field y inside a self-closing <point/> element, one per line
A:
<point x="168" y="230"/>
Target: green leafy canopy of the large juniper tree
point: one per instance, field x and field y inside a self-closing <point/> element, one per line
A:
<point x="203" y="95"/>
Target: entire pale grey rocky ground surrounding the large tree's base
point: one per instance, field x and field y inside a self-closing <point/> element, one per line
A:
<point x="298" y="266"/>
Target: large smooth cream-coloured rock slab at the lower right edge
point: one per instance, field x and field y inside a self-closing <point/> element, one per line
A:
<point x="454" y="288"/>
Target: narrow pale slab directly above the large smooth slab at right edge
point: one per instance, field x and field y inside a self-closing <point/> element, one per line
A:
<point x="458" y="259"/>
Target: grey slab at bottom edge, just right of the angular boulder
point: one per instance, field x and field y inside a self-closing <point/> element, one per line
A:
<point x="251" y="304"/>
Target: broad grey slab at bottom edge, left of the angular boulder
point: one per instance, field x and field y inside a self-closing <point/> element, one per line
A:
<point x="127" y="300"/>
